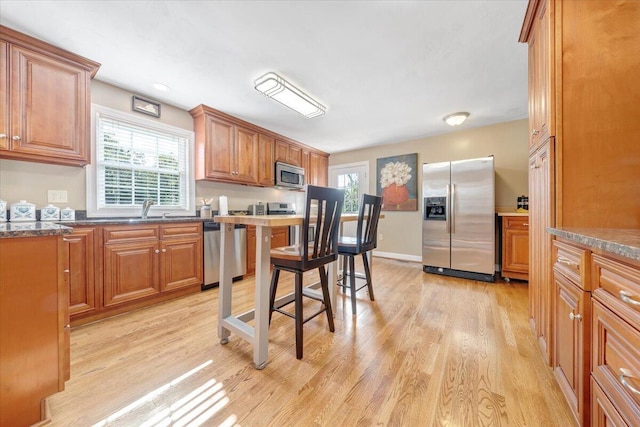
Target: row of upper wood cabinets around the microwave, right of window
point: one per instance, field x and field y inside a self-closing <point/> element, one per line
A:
<point x="232" y="150"/>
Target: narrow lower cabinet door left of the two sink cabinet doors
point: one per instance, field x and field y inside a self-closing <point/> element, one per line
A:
<point x="81" y="253"/>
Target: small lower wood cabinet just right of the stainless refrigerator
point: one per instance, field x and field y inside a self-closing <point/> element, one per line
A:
<point x="515" y="247"/>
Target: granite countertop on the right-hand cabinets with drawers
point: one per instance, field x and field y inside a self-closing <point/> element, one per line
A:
<point x="624" y="242"/>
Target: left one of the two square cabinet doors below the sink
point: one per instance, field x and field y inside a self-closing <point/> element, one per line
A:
<point x="130" y="271"/>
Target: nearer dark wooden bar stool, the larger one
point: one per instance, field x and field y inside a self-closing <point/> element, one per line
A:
<point x="313" y="252"/>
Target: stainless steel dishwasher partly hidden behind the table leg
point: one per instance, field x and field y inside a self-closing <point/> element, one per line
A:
<point x="212" y="253"/>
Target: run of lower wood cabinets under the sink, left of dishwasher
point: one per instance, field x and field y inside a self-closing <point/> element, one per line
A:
<point x="117" y="268"/>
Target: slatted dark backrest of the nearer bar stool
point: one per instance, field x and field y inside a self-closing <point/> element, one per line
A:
<point x="323" y="210"/>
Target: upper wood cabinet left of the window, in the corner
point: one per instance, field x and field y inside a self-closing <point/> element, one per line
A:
<point x="45" y="101"/>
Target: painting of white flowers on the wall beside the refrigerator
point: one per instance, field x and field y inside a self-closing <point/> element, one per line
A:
<point x="397" y="182"/>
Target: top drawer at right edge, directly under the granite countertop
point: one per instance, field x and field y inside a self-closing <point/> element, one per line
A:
<point x="617" y="285"/>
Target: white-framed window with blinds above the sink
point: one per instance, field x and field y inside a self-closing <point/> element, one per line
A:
<point x="137" y="159"/>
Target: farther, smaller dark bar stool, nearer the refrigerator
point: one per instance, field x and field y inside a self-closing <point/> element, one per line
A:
<point x="364" y="241"/>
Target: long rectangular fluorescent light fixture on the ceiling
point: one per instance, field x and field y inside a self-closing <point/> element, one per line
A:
<point x="275" y="87"/>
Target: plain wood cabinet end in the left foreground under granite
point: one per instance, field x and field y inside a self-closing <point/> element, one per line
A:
<point x="34" y="339"/>
